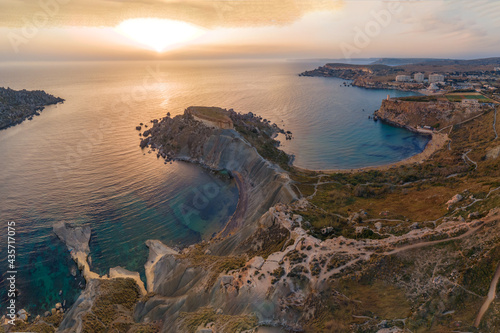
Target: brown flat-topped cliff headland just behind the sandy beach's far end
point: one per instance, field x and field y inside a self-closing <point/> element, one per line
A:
<point x="411" y="114"/>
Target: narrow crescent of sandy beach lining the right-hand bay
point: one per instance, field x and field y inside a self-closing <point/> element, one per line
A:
<point x="438" y="141"/>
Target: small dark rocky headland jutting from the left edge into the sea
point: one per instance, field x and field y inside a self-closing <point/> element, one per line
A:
<point x="19" y="105"/>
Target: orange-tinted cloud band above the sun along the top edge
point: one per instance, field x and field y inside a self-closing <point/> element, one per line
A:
<point x="209" y="14"/>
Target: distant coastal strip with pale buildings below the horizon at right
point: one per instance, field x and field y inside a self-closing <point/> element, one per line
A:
<point x="479" y="79"/>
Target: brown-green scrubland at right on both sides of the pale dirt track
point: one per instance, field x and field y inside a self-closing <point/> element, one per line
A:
<point x="435" y="288"/>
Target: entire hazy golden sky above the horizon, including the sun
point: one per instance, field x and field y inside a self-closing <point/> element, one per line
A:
<point x="39" y="30"/>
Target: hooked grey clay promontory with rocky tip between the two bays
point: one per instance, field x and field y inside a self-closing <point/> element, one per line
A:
<point x="261" y="183"/>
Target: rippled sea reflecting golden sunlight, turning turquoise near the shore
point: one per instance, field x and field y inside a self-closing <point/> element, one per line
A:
<point x="79" y="162"/>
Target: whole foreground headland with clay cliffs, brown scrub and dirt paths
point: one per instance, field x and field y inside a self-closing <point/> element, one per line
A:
<point x="413" y="247"/>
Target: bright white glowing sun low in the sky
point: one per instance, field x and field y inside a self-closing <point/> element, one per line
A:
<point x="158" y="34"/>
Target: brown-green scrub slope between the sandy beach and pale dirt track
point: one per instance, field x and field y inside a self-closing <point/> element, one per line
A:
<point x="428" y="186"/>
